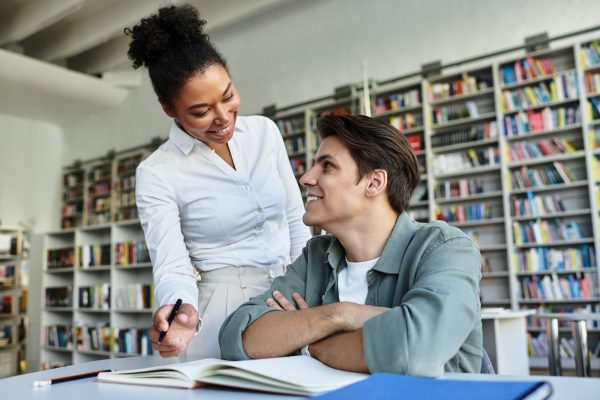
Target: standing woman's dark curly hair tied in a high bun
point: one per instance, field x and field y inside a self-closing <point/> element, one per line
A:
<point x="172" y="46"/>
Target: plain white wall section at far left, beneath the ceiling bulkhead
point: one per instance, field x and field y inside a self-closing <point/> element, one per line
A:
<point x="30" y="169"/>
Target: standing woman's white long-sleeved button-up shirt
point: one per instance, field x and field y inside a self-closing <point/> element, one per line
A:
<point x="199" y="212"/>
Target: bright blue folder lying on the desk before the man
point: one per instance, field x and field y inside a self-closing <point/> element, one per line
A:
<point x="389" y="386"/>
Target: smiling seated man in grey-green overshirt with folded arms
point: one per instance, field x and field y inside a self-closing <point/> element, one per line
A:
<point x="383" y="293"/>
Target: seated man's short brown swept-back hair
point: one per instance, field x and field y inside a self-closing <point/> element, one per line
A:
<point x="376" y="144"/>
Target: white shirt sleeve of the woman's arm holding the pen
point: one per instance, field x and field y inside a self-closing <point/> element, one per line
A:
<point x="159" y="215"/>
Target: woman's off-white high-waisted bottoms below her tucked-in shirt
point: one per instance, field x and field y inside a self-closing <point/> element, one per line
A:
<point x="221" y="292"/>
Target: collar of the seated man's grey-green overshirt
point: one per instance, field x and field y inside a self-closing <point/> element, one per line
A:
<point x="393" y="251"/>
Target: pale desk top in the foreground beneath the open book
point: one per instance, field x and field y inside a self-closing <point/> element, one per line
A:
<point x="20" y="387"/>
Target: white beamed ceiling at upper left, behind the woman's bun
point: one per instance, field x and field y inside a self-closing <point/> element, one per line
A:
<point x="87" y="35"/>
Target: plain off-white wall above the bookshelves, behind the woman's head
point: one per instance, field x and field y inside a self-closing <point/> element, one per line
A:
<point x="305" y="48"/>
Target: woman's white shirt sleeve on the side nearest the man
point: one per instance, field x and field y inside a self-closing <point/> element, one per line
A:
<point x="294" y="209"/>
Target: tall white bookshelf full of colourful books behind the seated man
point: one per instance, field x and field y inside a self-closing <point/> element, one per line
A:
<point x="509" y="151"/>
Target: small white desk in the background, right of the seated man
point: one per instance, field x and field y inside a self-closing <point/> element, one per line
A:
<point x="505" y="340"/>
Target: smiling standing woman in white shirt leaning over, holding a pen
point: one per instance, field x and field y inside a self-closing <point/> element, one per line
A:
<point x="219" y="204"/>
